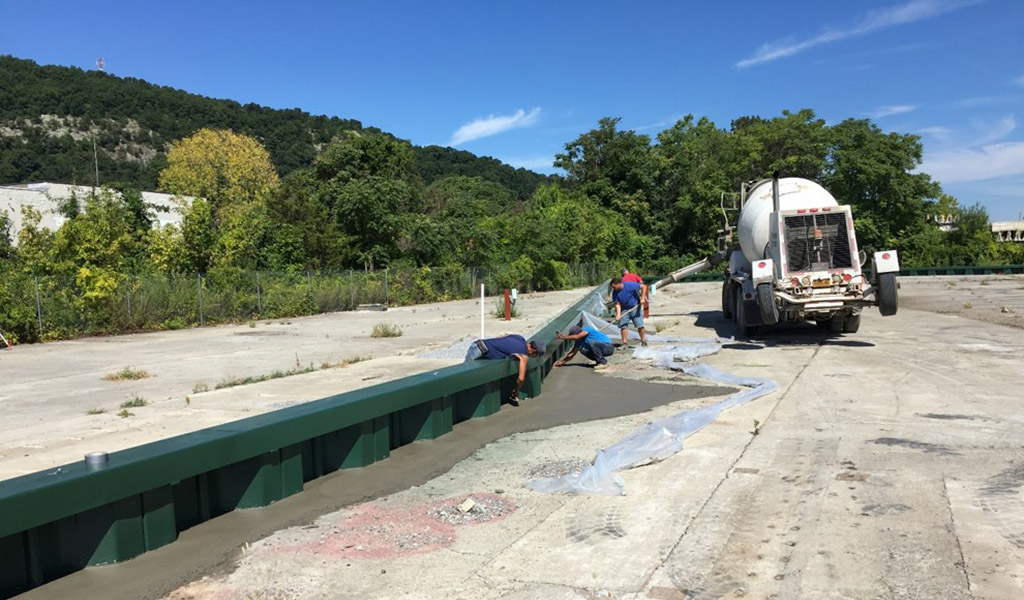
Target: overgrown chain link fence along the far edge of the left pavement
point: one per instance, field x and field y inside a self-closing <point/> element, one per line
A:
<point x="40" y="309"/>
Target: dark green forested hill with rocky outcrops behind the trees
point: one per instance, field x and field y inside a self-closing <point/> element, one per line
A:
<point x="51" y="116"/>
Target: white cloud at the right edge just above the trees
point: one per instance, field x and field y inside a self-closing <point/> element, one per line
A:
<point x="998" y="160"/>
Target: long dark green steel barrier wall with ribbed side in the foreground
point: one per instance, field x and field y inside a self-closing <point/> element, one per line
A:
<point x="58" y="522"/>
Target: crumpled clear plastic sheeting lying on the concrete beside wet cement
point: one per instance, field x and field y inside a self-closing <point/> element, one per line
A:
<point x="659" y="440"/>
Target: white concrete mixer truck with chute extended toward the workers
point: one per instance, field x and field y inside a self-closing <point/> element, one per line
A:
<point x="798" y="260"/>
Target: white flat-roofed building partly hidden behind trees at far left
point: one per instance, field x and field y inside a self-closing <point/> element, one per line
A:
<point x="47" y="198"/>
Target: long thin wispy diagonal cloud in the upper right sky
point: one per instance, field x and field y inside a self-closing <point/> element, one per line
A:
<point x="876" y="20"/>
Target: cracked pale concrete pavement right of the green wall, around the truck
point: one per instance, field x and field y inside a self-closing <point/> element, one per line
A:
<point x="889" y="464"/>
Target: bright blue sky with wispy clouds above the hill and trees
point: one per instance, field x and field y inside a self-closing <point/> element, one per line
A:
<point x="519" y="80"/>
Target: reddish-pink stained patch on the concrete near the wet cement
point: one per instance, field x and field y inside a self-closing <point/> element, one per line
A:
<point x="385" y="531"/>
